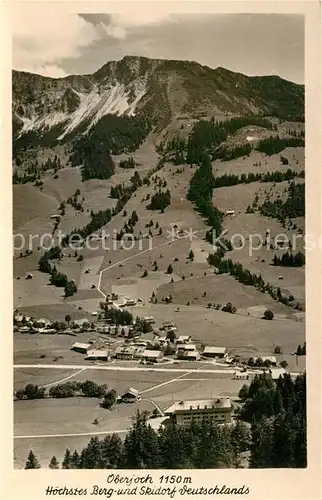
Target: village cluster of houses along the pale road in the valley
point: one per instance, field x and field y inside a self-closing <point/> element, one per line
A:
<point x="143" y="342"/>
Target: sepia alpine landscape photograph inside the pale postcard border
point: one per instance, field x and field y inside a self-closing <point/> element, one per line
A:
<point x="159" y="241"/>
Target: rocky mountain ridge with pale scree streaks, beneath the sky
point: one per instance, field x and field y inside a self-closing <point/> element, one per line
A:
<point x="137" y="88"/>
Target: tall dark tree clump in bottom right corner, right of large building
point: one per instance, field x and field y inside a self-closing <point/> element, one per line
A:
<point x="277" y="412"/>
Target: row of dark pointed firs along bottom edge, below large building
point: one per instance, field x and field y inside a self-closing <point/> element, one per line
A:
<point x="195" y="447"/>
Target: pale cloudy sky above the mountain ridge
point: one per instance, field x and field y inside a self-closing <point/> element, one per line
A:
<point x="58" y="44"/>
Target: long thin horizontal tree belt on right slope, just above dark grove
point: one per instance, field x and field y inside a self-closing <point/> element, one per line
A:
<point x="278" y="176"/>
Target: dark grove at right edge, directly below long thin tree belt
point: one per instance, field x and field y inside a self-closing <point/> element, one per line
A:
<point x="292" y="207"/>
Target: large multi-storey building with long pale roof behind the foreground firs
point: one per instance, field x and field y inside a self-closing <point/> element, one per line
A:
<point x="213" y="410"/>
